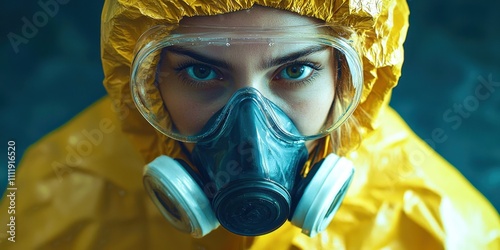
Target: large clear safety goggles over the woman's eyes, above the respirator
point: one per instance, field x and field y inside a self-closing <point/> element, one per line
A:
<point x="181" y="77"/>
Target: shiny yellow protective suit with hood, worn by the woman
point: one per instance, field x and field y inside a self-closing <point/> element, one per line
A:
<point x="80" y="187"/>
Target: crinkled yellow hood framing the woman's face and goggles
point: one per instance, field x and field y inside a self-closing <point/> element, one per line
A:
<point x="382" y="25"/>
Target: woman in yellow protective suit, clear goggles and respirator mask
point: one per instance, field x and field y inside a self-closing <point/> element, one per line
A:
<point x="82" y="186"/>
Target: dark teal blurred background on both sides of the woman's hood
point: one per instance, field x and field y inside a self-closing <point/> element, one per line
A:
<point x="453" y="46"/>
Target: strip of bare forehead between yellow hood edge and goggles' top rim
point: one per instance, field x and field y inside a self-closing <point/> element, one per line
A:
<point x="257" y="16"/>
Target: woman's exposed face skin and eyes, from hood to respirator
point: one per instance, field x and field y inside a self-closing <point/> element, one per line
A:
<point x="197" y="82"/>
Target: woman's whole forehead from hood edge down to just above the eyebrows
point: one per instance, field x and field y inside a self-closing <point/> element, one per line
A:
<point x="274" y="26"/>
